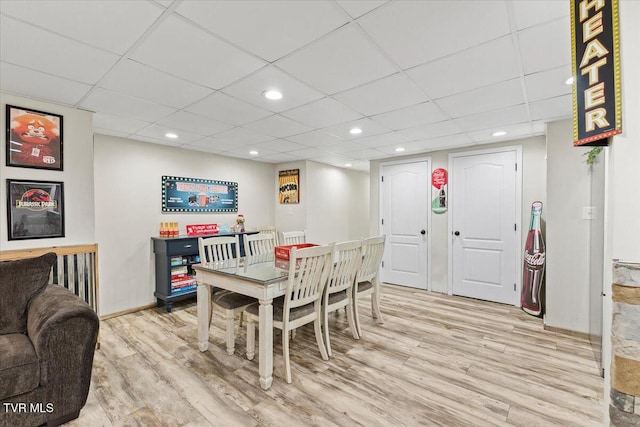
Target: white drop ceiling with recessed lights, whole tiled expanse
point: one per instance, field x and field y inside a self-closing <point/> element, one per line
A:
<point x="417" y="75"/>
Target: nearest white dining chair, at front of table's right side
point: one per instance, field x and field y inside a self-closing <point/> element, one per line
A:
<point x="301" y="303"/>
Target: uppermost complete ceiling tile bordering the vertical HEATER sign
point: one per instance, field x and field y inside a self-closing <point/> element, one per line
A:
<point x="545" y="46"/>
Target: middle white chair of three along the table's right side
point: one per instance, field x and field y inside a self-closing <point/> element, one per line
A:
<point x="347" y="258"/>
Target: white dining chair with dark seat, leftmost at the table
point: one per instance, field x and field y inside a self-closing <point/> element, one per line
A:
<point x="223" y="250"/>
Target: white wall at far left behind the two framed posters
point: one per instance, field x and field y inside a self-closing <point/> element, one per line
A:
<point x="77" y="175"/>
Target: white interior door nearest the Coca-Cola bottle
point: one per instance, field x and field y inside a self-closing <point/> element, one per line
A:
<point x="485" y="226"/>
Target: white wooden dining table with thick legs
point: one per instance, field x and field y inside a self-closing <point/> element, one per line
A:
<point x="261" y="280"/>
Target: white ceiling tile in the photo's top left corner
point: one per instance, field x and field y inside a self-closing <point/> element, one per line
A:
<point x="90" y="22"/>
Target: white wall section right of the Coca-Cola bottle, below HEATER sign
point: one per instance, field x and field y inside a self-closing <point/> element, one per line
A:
<point x="568" y="191"/>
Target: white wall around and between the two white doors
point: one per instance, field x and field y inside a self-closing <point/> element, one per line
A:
<point x="533" y="188"/>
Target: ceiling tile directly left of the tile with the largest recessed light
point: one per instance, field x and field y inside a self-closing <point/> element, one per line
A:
<point x="135" y="79"/>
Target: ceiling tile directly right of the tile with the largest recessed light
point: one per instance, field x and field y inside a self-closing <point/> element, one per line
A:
<point x="389" y="93"/>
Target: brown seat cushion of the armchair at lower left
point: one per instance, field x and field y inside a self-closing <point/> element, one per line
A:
<point x="19" y="367"/>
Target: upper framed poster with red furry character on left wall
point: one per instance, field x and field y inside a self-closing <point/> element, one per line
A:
<point x="34" y="138"/>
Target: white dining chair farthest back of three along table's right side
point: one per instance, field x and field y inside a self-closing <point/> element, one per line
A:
<point x="367" y="279"/>
